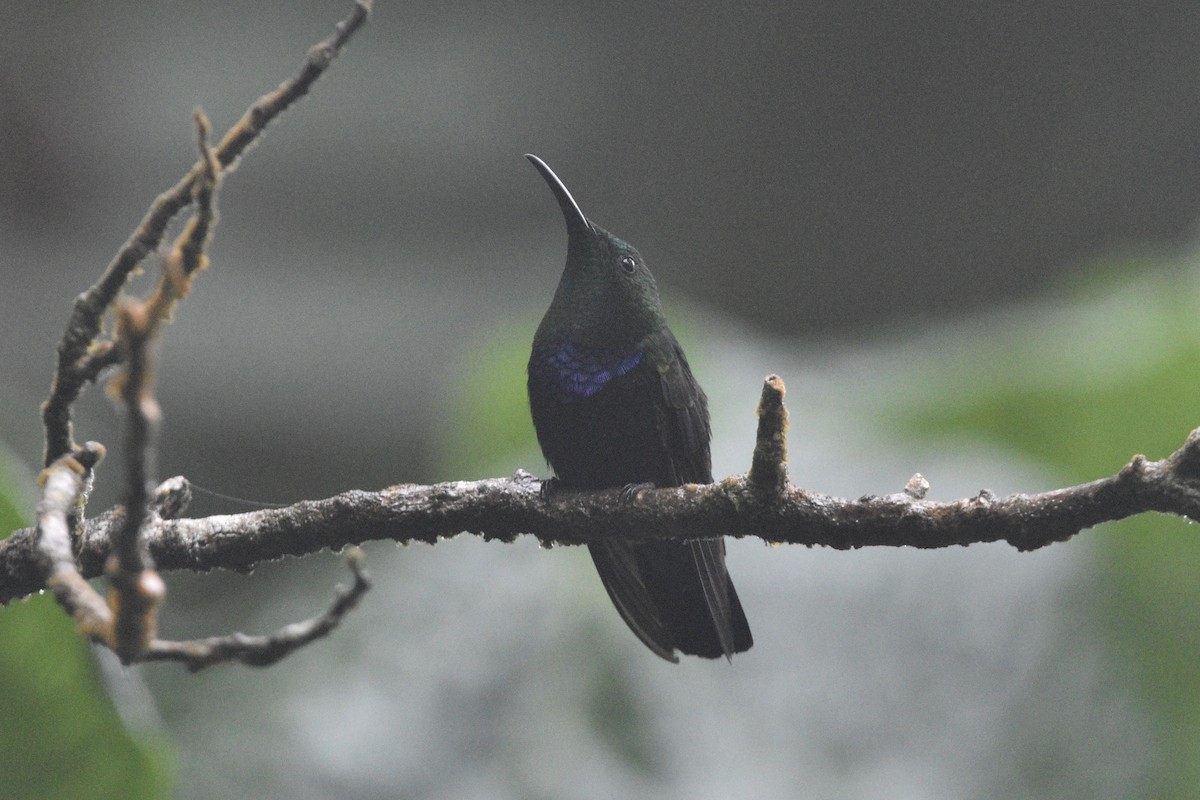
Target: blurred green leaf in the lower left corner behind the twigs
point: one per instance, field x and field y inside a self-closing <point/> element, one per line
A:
<point x="61" y="736"/>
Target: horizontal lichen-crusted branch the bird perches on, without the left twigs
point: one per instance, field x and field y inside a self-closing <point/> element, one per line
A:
<point x="502" y="509"/>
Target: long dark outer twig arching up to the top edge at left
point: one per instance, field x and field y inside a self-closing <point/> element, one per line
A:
<point x="77" y="363"/>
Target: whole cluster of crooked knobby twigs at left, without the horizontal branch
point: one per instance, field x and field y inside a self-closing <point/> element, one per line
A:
<point x="128" y="623"/>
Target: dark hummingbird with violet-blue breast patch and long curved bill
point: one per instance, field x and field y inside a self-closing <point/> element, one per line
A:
<point x="615" y="405"/>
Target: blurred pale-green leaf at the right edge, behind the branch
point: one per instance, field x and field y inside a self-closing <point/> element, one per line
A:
<point x="1083" y="388"/>
